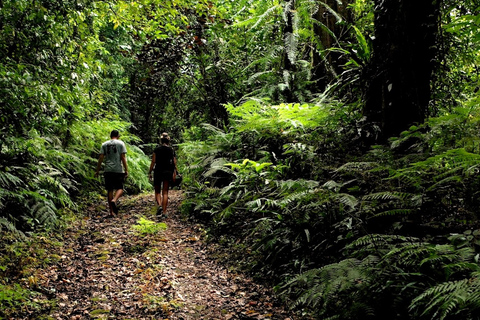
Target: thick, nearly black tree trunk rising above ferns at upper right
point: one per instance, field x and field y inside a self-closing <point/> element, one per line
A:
<point x="399" y="74"/>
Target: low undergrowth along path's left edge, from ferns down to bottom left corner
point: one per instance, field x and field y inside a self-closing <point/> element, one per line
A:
<point x="44" y="184"/>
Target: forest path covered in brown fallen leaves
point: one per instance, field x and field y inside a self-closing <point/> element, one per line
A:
<point x="107" y="271"/>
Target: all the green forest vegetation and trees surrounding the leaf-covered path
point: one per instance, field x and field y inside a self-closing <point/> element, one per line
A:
<point x="331" y="146"/>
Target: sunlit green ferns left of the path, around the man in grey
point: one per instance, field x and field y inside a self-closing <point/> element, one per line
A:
<point x="40" y="176"/>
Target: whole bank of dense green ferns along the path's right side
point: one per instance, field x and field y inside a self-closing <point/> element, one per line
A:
<point x="345" y="231"/>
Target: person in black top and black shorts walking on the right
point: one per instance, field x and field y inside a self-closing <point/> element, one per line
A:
<point x="164" y="165"/>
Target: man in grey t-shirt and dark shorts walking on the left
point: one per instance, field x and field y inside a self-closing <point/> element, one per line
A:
<point x="113" y="152"/>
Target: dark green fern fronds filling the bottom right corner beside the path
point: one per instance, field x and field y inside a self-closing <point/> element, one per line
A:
<point x="392" y="276"/>
